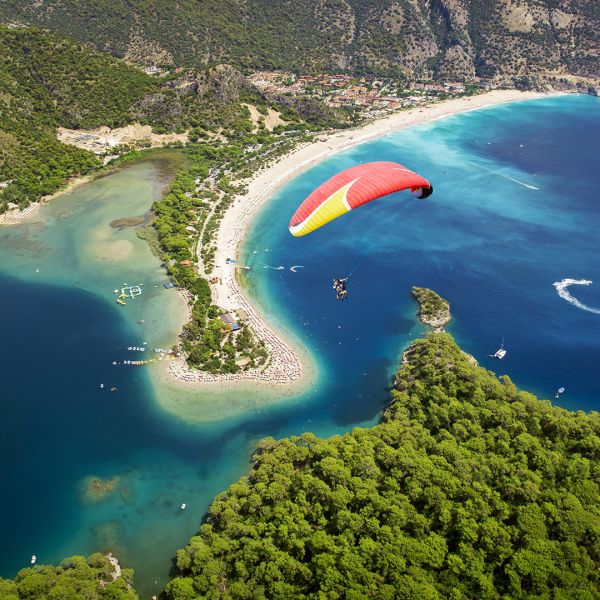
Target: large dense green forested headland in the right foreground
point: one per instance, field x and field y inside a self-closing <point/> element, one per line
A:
<point x="467" y="489"/>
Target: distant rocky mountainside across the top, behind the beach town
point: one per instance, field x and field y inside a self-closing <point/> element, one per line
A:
<point x="498" y="40"/>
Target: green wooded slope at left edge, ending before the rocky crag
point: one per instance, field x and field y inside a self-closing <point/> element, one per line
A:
<point x="47" y="81"/>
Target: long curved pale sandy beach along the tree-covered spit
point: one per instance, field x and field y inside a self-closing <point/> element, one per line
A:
<point x="290" y="365"/>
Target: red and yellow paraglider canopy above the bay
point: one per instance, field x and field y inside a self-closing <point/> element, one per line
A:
<point x="353" y="188"/>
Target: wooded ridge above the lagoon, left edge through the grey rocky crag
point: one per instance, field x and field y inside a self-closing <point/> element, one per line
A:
<point x="49" y="81"/>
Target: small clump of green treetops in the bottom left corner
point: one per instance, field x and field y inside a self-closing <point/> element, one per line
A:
<point x="76" y="578"/>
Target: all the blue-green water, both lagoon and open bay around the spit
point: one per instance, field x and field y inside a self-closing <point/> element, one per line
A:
<point x="514" y="210"/>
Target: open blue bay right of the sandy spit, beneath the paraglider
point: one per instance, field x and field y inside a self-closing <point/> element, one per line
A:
<point x="515" y="209"/>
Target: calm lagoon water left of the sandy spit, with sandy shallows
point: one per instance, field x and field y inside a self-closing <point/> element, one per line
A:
<point x="62" y="330"/>
